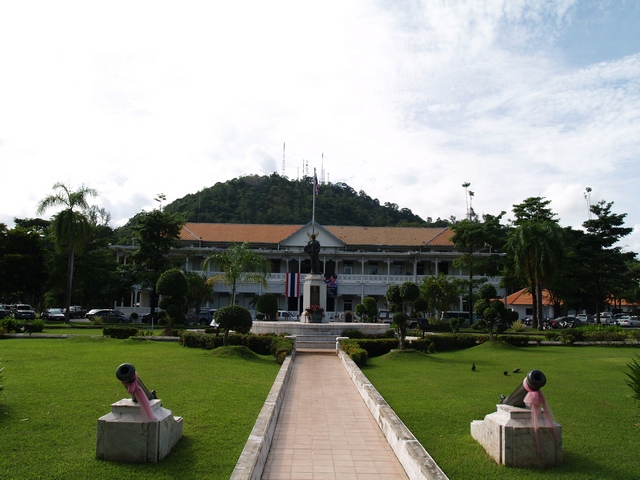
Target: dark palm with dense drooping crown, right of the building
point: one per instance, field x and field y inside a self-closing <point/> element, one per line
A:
<point x="537" y="251"/>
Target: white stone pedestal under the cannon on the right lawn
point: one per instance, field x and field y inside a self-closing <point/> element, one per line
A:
<point x="508" y="437"/>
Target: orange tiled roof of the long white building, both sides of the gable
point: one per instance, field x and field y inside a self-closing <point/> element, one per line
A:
<point x="274" y="234"/>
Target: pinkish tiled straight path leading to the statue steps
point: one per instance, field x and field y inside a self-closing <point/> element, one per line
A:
<point x="325" y="431"/>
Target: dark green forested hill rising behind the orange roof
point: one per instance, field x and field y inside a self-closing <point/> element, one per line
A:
<point x="275" y="199"/>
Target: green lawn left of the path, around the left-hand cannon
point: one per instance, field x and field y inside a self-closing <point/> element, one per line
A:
<point x="55" y="391"/>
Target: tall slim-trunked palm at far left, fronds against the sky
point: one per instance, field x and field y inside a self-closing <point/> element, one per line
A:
<point x="71" y="226"/>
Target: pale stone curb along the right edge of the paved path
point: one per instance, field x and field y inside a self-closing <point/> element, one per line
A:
<point x="413" y="457"/>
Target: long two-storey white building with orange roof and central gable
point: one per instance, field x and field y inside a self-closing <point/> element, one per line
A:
<point x="364" y="261"/>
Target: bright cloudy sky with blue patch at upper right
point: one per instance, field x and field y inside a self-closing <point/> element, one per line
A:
<point x="404" y="100"/>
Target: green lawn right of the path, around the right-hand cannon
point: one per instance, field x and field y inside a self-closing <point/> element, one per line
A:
<point x="438" y="395"/>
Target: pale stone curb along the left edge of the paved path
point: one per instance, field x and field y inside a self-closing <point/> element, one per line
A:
<point x="254" y="455"/>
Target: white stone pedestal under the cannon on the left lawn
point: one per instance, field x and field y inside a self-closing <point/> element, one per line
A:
<point x="124" y="435"/>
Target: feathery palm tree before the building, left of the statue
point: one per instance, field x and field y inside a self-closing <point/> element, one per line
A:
<point x="238" y="265"/>
